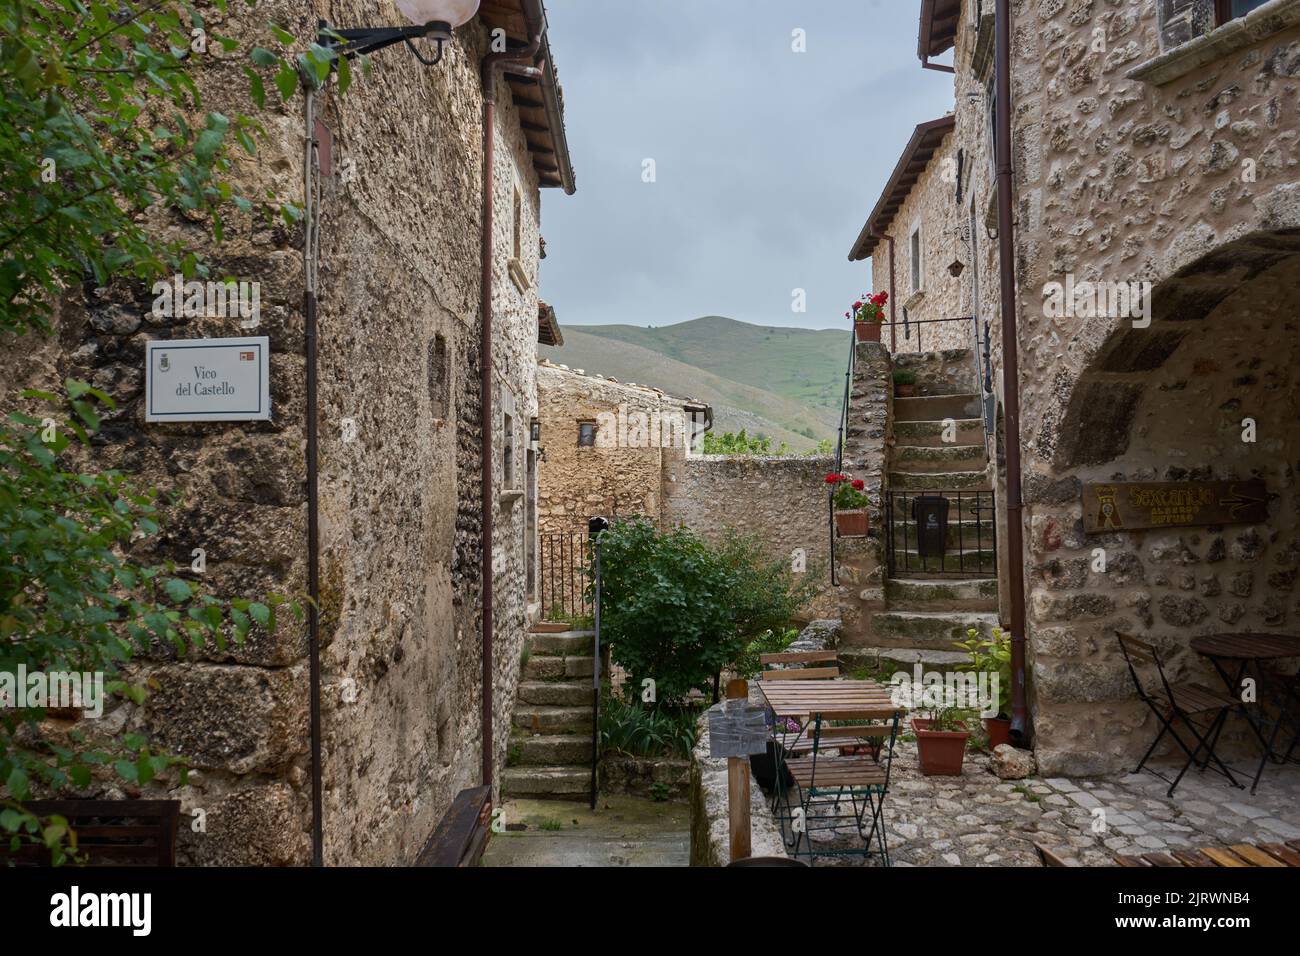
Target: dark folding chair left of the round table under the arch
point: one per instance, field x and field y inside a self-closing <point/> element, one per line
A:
<point x="1184" y="703"/>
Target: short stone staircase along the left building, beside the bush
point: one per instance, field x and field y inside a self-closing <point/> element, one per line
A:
<point x="551" y="741"/>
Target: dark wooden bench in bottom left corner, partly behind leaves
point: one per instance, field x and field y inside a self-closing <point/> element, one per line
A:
<point x="110" y="833"/>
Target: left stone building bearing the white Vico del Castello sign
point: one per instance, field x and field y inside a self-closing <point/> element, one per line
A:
<point x="401" y="481"/>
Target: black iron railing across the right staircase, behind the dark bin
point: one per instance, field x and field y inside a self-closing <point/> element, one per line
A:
<point x="969" y="542"/>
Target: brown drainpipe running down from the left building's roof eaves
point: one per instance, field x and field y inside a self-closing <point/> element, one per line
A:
<point x="489" y="84"/>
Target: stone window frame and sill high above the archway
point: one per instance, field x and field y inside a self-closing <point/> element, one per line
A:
<point x="1193" y="36"/>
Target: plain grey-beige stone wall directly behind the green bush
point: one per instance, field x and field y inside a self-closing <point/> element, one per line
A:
<point x="781" y="499"/>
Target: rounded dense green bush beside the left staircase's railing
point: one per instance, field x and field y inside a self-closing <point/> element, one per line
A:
<point x="679" y="611"/>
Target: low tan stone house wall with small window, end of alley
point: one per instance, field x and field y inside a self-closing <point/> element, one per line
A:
<point x="627" y="470"/>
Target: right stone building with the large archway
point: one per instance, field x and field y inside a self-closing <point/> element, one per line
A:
<point x="1156" y="253"/>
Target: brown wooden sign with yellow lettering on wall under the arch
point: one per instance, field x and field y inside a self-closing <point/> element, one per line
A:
<point x="1134" y="505"/>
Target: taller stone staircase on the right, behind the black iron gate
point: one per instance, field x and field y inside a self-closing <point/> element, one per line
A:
<point x="928" y="607"/>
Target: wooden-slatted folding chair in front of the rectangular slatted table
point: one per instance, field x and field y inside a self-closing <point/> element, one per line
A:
<point x="833" y="791"/>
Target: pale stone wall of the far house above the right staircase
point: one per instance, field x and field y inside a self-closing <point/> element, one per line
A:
<point x="933" y="206"/>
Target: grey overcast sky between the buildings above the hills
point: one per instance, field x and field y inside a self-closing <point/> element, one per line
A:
<point x="768" y="162"/>
